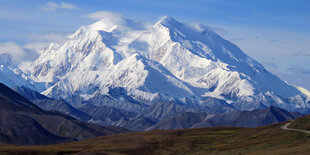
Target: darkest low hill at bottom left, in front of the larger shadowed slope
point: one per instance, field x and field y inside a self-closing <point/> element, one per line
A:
<point x="19" y="128"/>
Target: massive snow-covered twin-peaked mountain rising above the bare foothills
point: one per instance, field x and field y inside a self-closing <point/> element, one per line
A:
<point x="168" y="61"/>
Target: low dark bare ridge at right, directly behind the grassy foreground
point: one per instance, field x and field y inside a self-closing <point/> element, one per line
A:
<point x="255" y="118"/>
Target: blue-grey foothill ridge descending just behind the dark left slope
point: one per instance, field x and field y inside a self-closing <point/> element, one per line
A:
<point x="96" y="112"/>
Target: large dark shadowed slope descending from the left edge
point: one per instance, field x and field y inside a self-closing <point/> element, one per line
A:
<point x="22" y="123"/>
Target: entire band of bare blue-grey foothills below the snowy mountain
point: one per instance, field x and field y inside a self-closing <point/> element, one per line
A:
<point x="174" y="118"/>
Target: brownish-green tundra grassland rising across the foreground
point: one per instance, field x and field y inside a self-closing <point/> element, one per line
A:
<point x="264" y="140"/>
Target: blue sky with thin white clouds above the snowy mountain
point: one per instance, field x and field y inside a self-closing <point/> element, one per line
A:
<point x="274" y="32"/>
